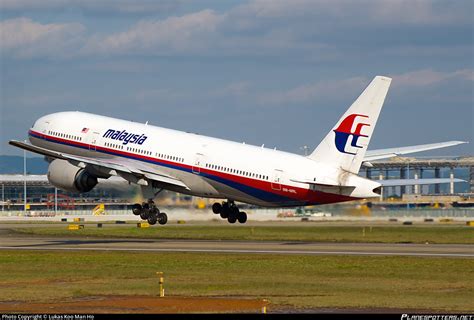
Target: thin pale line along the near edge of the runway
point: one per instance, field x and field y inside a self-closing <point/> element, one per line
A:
<point x="421" y="254"/>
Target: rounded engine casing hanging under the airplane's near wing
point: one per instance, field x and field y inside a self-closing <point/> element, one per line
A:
<point x="65" y="176"/>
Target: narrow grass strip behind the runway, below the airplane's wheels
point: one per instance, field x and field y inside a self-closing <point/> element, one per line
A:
<point x="383" y="234"/>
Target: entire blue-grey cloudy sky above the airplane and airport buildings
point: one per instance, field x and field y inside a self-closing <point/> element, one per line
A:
<point x="279" y="73"/>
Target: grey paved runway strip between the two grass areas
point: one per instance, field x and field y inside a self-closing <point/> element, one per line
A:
<point x="26" y="242"/>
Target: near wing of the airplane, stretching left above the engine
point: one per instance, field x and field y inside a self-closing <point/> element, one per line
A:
<point x="132" y="171"/>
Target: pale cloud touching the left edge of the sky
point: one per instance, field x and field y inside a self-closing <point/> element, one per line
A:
<point x="22" y="37"/>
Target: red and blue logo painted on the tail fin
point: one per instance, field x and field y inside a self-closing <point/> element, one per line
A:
<point x="344" y="131"/>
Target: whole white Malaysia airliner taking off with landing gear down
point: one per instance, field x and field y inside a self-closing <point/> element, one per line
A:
<point x="82" y="148"/>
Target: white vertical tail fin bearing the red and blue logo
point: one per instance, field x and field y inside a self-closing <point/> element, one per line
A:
<point x="345" y="145"/>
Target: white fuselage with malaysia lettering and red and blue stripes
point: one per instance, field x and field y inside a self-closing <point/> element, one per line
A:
<point x="210" y="167"/>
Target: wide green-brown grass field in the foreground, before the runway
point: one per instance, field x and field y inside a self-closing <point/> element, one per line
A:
<point x="287" y="281"/>
